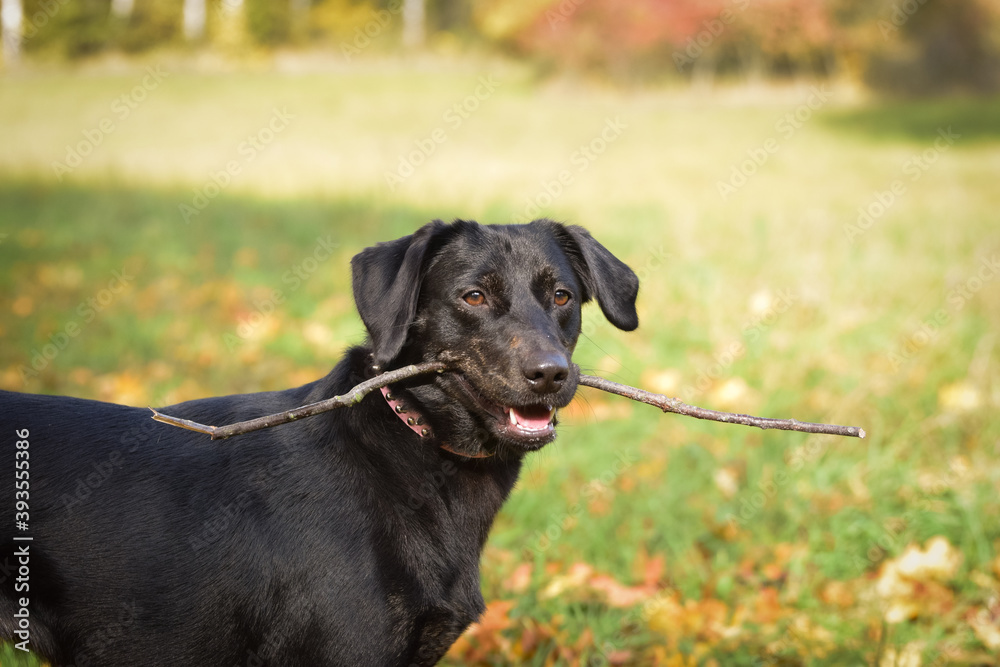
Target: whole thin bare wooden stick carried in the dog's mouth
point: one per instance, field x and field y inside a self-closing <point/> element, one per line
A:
<point x="355" y="395"/>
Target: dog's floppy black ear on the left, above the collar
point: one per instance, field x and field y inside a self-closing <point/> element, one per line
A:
<point x="386" y="280"/>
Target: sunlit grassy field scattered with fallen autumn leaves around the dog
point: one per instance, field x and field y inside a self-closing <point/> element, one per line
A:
<point x="802" y="255"/>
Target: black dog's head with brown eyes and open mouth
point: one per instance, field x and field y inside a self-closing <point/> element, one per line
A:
<point x="501" y="305"/>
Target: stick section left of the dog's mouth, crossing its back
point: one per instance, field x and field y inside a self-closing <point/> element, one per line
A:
<point x="352" y="397"/>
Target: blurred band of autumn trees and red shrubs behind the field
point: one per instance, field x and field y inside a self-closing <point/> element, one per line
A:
<point x="908" y="46"/>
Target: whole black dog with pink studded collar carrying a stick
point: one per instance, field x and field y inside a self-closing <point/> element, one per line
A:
<point x="350" y="538"/>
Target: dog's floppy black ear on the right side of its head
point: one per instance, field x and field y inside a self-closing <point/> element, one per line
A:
<point x="604" y="276"/>
